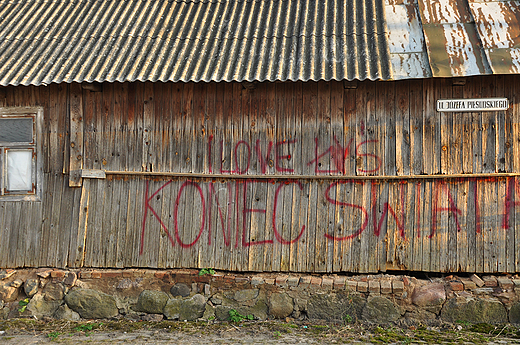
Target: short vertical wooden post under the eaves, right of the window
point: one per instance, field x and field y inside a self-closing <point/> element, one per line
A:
<point x="76" y="135"/>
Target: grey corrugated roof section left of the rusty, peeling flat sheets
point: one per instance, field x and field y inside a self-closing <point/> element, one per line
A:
<point x="53" y="41"/>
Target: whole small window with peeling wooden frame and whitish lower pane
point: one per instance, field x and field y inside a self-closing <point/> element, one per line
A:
<point x="20" y="168"/>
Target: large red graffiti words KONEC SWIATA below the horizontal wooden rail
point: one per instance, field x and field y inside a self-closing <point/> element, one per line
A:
<point x="234" y="213"/>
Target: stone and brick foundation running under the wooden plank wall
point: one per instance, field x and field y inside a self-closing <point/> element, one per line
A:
<point x="139" y="294"/>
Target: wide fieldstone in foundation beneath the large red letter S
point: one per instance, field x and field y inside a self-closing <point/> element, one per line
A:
<point x="335" y="306"/>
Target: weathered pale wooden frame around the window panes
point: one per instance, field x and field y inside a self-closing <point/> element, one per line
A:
<point x="36" y="113"/>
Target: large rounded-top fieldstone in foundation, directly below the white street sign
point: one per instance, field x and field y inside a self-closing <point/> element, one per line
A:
<point x="474" y="310"/>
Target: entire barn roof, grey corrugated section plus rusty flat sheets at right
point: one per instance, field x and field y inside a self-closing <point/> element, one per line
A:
<point x="46" y="41"/>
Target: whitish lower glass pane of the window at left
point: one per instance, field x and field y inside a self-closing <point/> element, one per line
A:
<point x="19" y="170"/>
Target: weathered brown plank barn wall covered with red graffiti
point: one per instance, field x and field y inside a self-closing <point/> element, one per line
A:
<point x="271" y="178"/>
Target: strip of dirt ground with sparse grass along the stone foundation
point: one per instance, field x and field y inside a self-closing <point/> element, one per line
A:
<point x="26" y="331"/>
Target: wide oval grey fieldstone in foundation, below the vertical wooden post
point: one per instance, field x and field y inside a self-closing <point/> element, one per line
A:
<point x="91" y="304"/>
